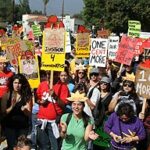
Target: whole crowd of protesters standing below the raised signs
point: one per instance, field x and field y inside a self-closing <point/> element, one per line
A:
<point x="87" y="108"/>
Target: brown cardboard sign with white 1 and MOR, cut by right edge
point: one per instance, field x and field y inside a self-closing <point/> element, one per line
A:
<point x="143" y="81"/>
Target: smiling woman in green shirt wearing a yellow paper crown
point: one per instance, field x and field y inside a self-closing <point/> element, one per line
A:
<point x="79" y="129"/>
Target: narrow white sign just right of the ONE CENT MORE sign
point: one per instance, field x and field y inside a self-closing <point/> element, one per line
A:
<point x="113" y="46"/>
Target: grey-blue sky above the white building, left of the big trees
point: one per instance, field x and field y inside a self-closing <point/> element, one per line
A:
<point x="54" y="7"/>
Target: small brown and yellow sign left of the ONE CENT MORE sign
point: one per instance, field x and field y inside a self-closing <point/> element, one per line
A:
<point x="83" y="45"/>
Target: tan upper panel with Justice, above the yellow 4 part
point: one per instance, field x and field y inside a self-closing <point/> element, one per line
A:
<point x="54" y="40"/>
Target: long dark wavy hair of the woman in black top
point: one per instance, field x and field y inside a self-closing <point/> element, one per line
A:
<point x="25" y="90"/>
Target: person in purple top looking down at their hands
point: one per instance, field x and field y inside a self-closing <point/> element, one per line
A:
<point x="125" y="128"/>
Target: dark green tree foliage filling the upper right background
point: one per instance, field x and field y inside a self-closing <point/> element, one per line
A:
<point x="114" y="14"/>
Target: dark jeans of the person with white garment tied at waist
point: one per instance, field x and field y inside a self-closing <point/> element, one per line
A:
<point x="46" y="138"/>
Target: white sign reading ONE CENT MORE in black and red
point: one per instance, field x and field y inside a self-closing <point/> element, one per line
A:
<point x="98" y="55"/>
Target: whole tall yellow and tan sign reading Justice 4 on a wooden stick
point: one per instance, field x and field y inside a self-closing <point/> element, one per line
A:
<point x="53" y="56"/>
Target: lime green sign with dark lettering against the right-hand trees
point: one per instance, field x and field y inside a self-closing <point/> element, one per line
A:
<point x="134" y="28"/>
